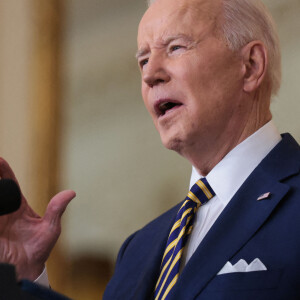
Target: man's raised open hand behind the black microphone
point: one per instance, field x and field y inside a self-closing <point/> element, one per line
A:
<point x="26" y="239"/>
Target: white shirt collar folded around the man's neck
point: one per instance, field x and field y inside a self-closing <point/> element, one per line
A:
<point x="231" y="172"/>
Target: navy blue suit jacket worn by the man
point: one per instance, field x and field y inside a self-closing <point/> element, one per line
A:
<point x="246" y="229"/>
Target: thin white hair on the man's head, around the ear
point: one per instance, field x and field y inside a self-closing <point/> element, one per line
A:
<point x="244" y="21"/>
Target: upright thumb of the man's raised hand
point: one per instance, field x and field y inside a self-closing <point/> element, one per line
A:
<point x="57" y="206"/>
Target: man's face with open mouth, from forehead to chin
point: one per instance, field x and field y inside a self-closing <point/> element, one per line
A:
<point x="191" y="81"/>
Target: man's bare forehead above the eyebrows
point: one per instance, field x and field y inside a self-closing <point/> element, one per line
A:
<point x="170" y="15"/>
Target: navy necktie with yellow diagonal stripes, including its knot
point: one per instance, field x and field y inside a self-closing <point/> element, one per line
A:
<point x="199" y="194"/>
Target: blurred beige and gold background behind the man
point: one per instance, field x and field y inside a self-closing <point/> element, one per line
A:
<point x="71" y="117"/>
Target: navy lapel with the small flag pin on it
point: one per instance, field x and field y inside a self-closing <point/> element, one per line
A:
<point x="240" y="220"/>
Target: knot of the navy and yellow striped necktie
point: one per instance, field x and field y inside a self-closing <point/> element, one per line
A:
<point x="200" y="192"/>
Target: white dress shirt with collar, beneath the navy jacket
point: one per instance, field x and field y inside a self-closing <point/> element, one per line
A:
<point x="226" y="178"/>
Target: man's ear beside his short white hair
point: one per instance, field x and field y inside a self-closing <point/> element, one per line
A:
<point x="255" y="62"/>
